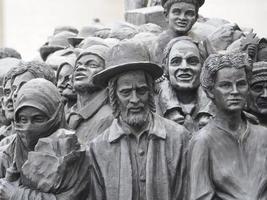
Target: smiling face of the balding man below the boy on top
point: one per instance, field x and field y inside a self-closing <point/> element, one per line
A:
<point x="184" y="66"/>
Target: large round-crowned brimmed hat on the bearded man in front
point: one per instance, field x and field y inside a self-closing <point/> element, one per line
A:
<point x="128" y="55"/>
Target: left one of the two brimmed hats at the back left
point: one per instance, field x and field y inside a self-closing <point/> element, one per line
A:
<point x="56" y="42"/>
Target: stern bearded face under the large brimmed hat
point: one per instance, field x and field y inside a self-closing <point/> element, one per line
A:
<point x="133" y="96"/>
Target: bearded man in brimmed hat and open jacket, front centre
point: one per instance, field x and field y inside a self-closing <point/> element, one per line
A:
<point x="141" y="155"/>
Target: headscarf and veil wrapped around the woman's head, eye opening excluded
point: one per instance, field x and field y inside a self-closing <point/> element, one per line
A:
<point x="43" y="95"/>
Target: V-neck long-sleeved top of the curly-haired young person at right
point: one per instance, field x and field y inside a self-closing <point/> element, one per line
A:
<point x="228" y="167"/>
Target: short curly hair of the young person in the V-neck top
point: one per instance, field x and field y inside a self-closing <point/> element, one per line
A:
<point x="216" y="62"/>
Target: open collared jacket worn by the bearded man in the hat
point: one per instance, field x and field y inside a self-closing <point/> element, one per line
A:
<point x="111" y="170"/>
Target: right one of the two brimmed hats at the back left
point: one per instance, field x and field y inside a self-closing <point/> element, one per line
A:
<point x="85" y="32"/>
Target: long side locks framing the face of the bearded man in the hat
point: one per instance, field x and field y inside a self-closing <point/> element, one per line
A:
<point x="113" y="99"/>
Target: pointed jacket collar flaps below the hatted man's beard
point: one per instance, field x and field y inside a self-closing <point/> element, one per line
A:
<point x="155" y="128"/>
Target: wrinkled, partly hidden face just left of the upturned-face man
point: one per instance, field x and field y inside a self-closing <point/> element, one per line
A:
<point x="64" y="82"/>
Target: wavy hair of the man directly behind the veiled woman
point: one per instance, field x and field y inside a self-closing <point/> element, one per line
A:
<point x="37" y="69"/>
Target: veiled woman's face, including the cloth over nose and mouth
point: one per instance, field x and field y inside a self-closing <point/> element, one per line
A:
<point x="32" y="123"/>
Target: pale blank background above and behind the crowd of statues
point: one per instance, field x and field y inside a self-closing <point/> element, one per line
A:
<point x="26" y="24"/>
